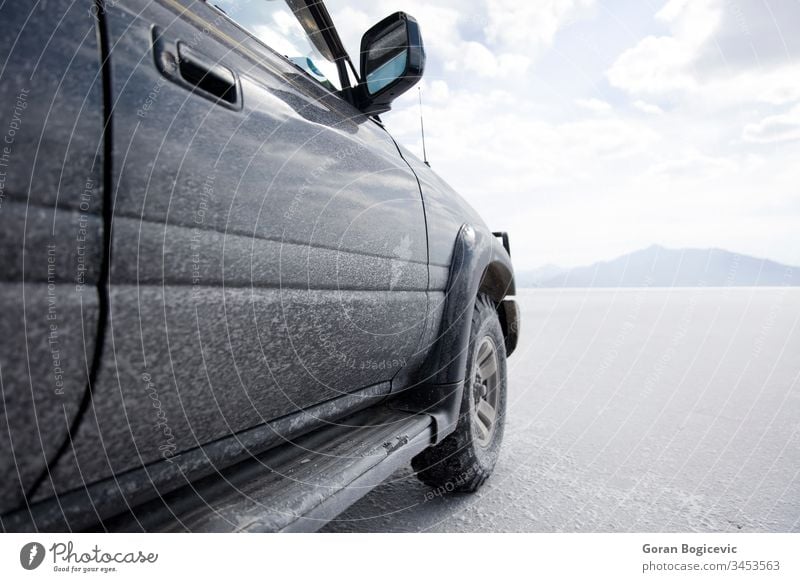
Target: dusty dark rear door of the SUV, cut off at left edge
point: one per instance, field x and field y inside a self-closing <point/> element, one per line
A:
<point x="51" y="225"/>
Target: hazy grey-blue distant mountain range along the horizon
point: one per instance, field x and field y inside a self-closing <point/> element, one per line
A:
<point x="657" y="266"/>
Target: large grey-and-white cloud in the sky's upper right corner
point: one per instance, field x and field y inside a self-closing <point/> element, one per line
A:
<point x="691" y="61"/>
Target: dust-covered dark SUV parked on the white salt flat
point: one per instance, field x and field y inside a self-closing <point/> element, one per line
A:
<point x="230" y="300"/>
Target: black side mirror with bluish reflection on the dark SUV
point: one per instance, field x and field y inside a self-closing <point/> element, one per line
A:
<point x="392" y="61"/>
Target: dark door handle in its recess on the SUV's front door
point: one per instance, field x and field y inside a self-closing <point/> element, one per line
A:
<point x="197" y="72"/>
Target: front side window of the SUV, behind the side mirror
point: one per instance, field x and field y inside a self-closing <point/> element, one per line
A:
<point x="288" y="28"/>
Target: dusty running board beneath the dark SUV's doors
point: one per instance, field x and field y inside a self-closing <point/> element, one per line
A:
<point x="298" y="486"/>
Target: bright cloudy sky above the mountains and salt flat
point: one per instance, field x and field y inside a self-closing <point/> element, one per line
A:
<point x="588" y="129"/>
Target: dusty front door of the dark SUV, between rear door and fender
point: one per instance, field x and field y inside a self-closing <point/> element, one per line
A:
<point x="269" y="245"/>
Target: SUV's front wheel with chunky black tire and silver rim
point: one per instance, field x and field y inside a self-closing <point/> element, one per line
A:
<point x="466" y="458"/>
